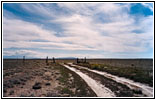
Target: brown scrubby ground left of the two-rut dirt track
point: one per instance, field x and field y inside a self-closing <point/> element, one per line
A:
<point x="35" y="78"/>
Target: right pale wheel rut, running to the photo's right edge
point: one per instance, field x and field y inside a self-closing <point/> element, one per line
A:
<point x="147" y="90"/>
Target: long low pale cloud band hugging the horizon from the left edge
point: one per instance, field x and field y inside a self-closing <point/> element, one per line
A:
<point x="39" y="54"/>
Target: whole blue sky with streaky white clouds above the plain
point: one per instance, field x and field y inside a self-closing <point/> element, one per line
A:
<point x="92" y="30"/>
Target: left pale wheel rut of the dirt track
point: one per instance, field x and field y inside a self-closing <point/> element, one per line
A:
<point x="99" y="89"/>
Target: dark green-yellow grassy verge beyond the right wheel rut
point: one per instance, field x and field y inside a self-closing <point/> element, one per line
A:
<point x="137" y="74"/>
